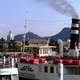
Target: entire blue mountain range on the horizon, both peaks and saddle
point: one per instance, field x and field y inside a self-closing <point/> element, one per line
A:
<point x="64" y="34"/>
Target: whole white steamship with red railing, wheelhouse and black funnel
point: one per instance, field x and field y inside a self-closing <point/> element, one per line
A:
<point x="53" y="68"/>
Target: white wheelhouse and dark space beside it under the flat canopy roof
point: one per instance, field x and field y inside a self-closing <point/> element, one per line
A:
<point x="40" y="51"/>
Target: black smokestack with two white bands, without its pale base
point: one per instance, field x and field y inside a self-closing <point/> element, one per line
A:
<point x="74" y="33"/>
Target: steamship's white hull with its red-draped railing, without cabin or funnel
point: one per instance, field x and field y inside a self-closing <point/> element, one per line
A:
<point x="41" y="69"/>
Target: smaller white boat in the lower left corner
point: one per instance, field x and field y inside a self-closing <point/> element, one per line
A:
<point x="7" y="69"/>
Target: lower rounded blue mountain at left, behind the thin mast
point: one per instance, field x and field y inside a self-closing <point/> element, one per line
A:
<point x="29" y="35"/>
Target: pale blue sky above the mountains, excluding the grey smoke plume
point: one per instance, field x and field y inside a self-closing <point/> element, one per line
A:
<point x="39" y="16"/>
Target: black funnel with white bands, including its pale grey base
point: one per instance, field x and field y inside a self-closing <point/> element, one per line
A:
<point x="74" y="38"/>
